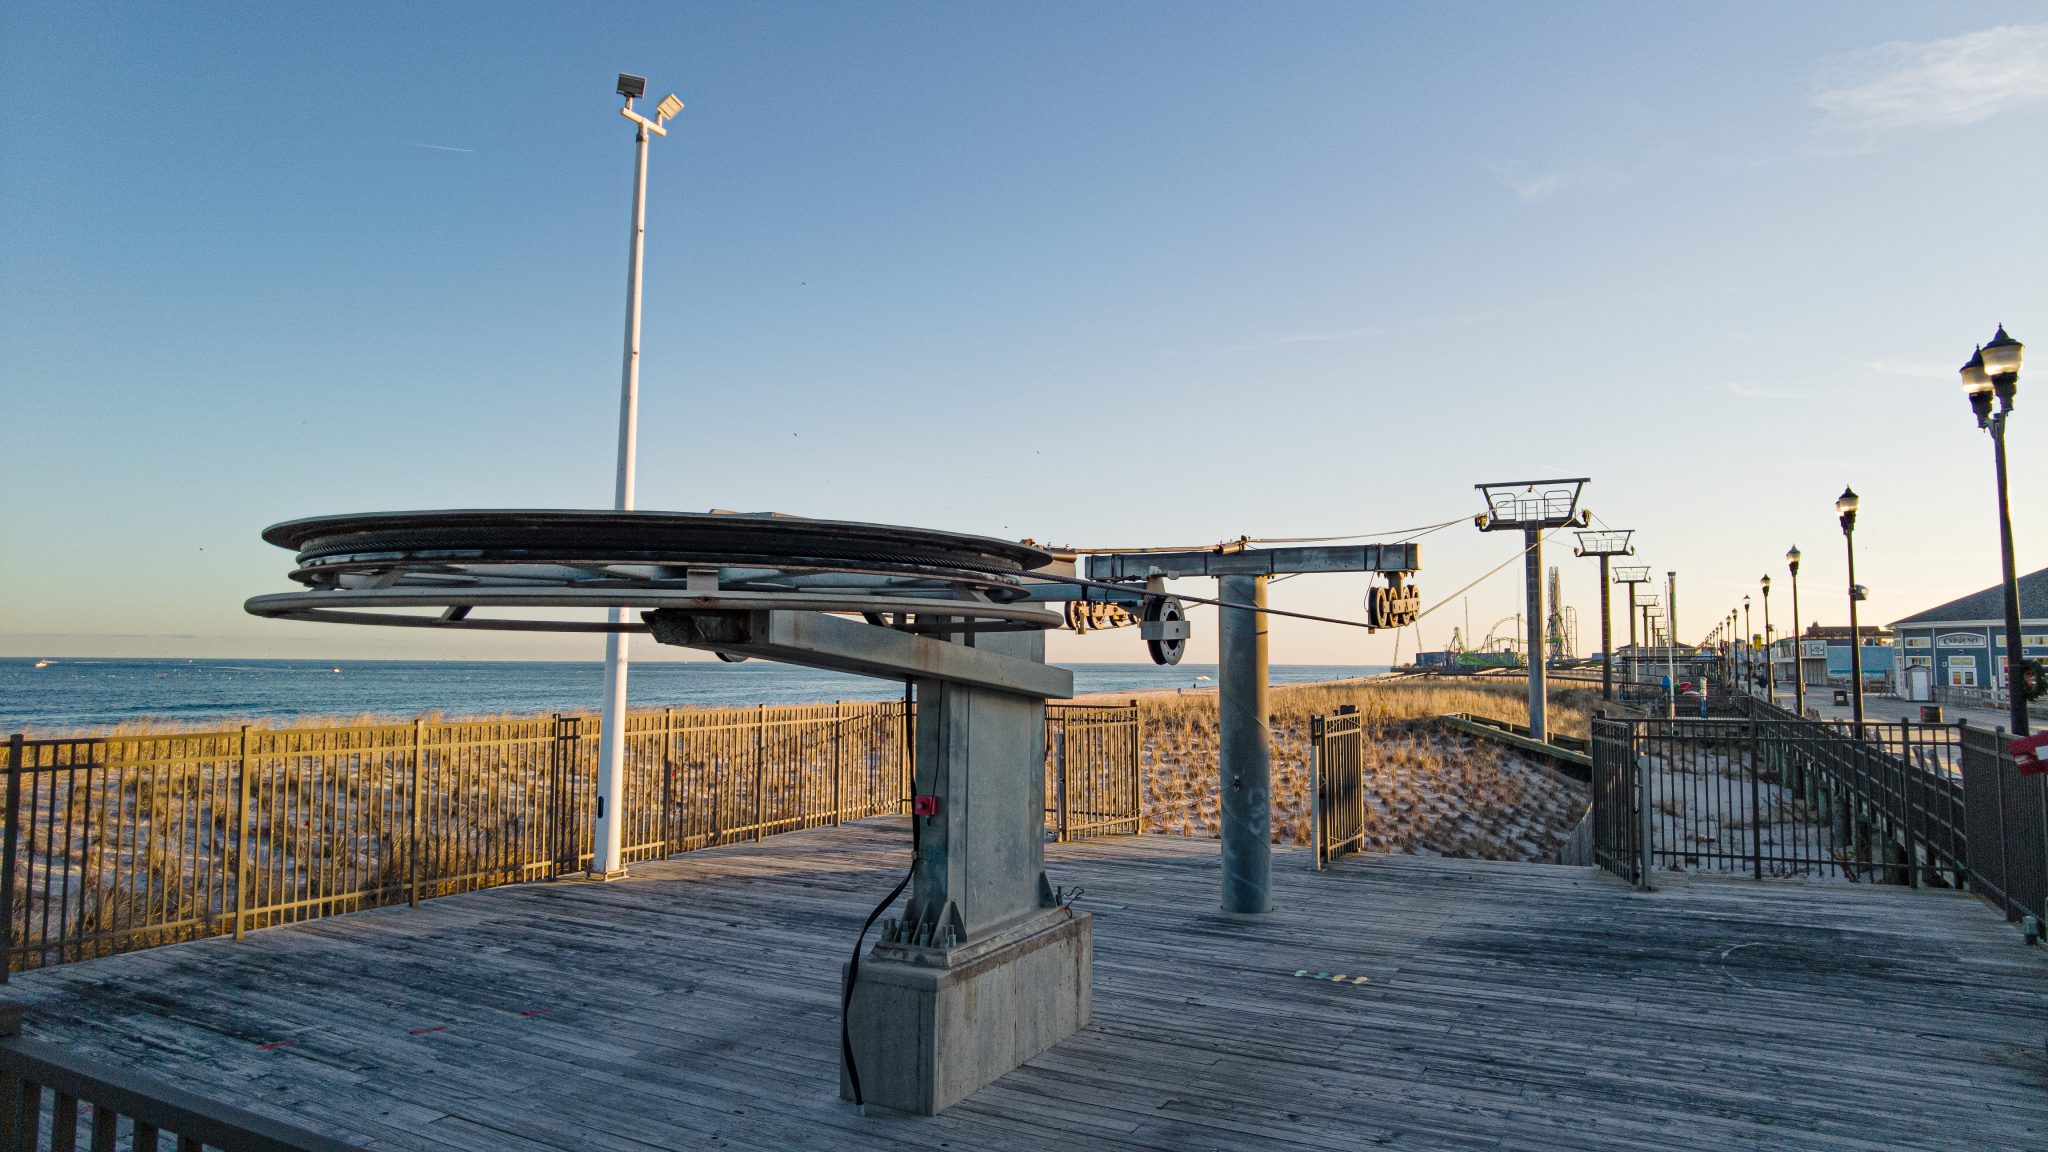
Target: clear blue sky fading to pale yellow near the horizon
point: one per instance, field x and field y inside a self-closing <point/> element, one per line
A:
<point x="1097" y="276"/>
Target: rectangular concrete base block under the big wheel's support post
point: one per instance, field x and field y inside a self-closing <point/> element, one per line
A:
<point x="931" y="1026"/>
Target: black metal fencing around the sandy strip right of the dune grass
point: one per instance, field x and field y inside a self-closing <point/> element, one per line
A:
<point x="1768" y="794"/>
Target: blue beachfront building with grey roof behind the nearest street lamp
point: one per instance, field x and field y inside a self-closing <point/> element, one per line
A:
<point x="1961" y="645"/>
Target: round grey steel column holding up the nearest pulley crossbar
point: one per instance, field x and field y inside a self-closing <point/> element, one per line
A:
<point x="1246" y="757"/>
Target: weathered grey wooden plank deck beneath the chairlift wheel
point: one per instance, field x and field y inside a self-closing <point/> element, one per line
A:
<point x="1504" y="1007"/>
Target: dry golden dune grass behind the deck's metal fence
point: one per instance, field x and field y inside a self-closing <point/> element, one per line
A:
<point x="148" y="846"/>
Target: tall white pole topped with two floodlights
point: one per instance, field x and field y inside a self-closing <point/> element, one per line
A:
<point x="607" y="839"/>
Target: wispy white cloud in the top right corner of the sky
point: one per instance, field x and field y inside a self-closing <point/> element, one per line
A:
<point x="1943" y="83"/>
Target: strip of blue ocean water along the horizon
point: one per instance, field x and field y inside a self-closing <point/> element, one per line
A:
<point x="69" y="696"/>
